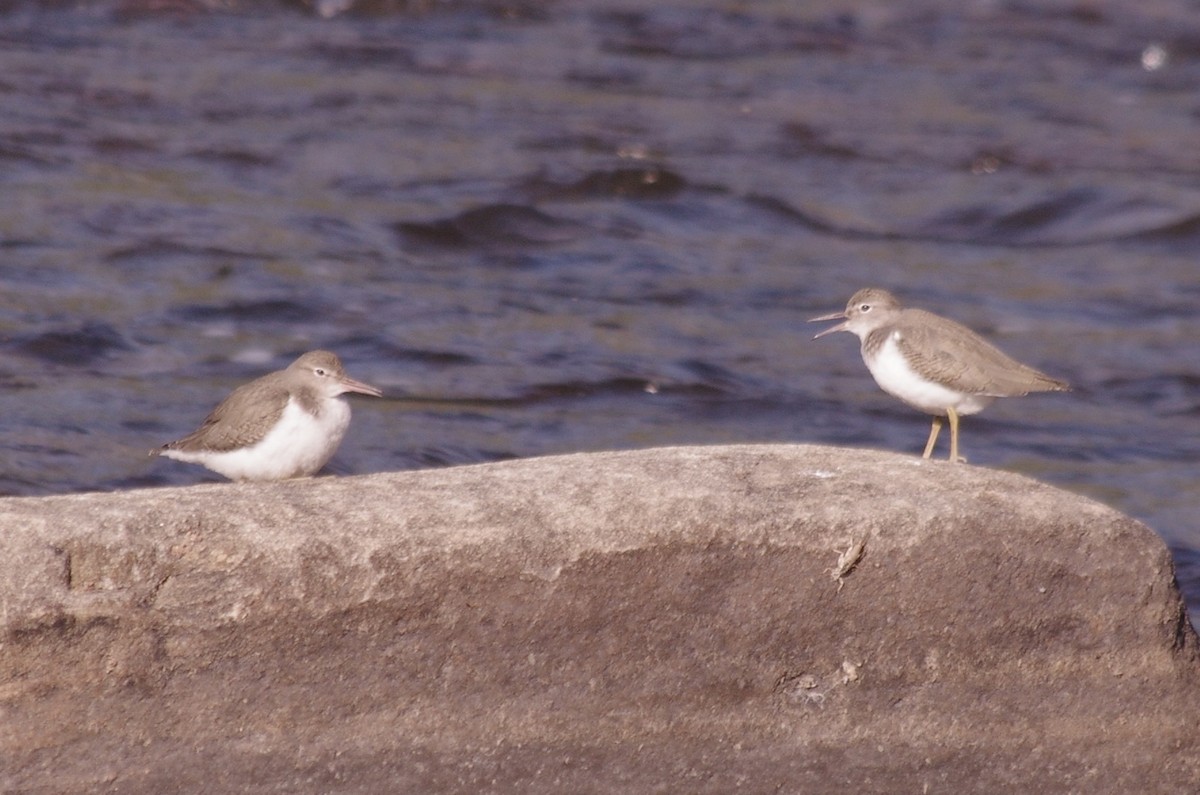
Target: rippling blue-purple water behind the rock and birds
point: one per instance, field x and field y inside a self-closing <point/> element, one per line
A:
<point x="559" y="226"/>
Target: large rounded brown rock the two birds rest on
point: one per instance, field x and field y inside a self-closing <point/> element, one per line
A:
<point x="662" y="621"/>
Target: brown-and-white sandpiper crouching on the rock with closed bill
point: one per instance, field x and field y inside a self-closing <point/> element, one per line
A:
<point x="286" y="425"/>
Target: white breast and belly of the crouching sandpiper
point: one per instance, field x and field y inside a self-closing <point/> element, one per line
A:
<point x="298" y="446"/>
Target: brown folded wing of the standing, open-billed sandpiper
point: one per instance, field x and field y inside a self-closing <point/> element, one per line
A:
<point x="941" y="349"/>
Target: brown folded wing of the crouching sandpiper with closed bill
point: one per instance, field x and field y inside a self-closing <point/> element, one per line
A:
<point x="243" y="419"/>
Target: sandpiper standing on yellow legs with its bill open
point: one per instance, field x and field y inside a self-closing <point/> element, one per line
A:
<point x="932" y="363"/>
